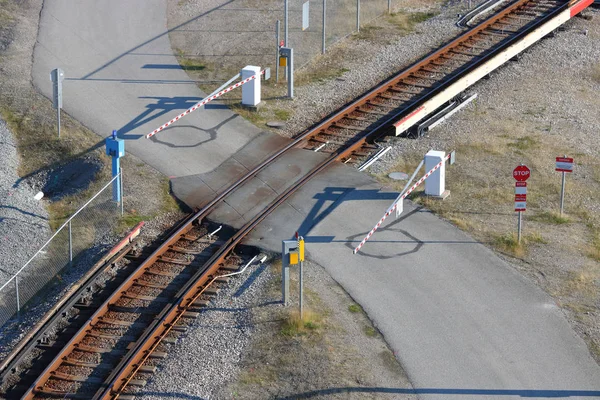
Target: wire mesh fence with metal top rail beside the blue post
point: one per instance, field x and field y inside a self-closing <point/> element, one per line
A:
<point x="95" y="220"/>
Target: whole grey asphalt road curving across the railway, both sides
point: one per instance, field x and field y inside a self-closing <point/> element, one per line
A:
<point x="462" y="321"/>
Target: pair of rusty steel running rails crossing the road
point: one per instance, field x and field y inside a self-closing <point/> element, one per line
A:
<point x="195" y="286"/>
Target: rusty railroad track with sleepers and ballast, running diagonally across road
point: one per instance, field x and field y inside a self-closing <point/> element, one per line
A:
<point x="117" y="347"/>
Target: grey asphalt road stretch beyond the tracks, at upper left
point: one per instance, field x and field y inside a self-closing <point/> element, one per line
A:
<point x="120" y="73"/>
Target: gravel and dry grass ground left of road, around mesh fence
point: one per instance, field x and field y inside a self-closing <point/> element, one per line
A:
<point x="35" y="159"/>
